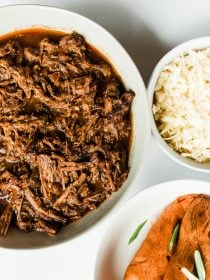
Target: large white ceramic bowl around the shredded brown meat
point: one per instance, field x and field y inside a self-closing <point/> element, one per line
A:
<point x="27" y="16"/>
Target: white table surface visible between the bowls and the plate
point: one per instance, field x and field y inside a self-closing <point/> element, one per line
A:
<point x="147" y="29"/>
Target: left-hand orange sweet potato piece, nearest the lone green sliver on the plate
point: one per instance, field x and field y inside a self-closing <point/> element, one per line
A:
<point x="153" y="256"/>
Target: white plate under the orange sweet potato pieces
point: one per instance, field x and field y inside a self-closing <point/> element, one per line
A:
<point x="114" y="253"/>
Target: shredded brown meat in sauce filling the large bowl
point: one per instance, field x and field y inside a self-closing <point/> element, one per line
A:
<point x="65" y="129"/>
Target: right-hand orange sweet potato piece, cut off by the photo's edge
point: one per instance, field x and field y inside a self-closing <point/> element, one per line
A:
<point x="194" y="235"/>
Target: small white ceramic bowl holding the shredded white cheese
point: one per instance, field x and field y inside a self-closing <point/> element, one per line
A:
<point x="200" y="43"/>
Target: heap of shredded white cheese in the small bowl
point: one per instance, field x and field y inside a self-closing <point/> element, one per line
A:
<point x="182" y="104"/>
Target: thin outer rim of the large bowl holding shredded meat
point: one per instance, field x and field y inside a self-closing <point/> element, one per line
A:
<point x="124" y="196"/>
